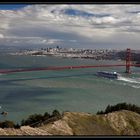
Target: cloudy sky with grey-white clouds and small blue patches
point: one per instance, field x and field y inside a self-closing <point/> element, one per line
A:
<point x="77" y="26"/>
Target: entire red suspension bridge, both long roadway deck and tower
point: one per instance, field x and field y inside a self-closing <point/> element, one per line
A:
<point x="127" y="65"/>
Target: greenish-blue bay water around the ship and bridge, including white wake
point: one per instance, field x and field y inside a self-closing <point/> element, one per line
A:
<point x="26" y="93"/>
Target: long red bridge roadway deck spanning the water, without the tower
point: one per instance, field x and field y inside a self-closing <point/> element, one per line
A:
<point x="61" y="68"/>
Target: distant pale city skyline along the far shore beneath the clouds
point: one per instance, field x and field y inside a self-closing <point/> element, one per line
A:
<point x="97" y="54"/>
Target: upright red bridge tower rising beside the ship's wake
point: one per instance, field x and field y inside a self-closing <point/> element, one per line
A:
<point x="128" y="60"/>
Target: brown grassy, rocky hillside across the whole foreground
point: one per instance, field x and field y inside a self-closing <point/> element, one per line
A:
<point x="73" y="123"/>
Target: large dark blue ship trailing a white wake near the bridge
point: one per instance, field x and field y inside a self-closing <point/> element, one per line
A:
<point x="110" y="75"/>
